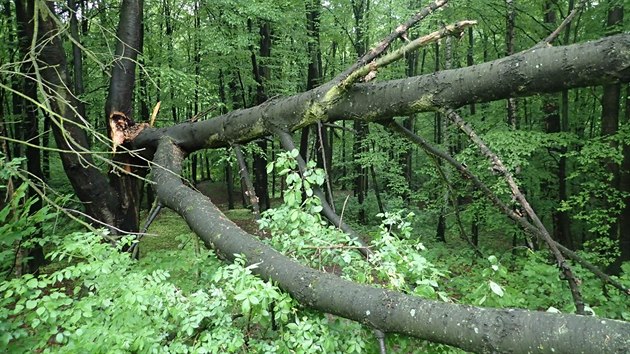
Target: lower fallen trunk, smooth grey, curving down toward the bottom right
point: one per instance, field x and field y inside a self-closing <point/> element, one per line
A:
<point x="467" y="327"/>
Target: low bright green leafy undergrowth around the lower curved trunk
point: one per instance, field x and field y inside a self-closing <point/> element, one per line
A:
<point x="180" y="298"/>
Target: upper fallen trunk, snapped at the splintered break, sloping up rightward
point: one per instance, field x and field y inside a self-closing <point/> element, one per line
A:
<point x="527" y="73"/>
